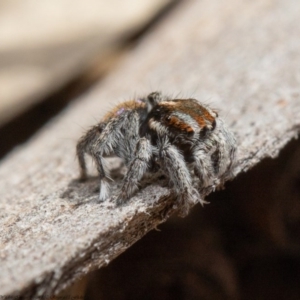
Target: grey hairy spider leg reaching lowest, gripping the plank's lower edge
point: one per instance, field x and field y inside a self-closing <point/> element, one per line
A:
<point x="174" y="165"/>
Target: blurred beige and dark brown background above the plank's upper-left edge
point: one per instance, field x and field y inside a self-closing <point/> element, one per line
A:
<point x="52" y="51"/>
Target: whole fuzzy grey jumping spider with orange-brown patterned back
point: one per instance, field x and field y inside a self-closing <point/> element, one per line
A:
<point x="175" y="135"/>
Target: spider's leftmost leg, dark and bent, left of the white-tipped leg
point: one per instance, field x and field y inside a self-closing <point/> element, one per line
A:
<point x="83" y="147"/>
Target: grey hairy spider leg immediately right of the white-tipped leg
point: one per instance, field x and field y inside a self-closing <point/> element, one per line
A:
<point x="136" y="169"/>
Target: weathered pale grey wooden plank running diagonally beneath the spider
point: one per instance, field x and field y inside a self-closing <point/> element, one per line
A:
<point x="240" y="56"/>
